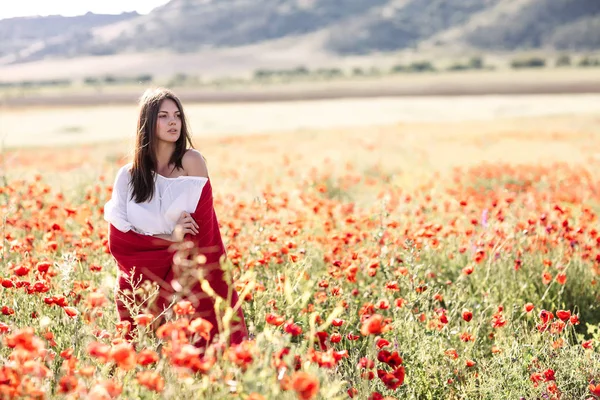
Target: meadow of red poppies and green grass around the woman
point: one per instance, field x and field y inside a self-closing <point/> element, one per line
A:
<point x="416" y="260"/>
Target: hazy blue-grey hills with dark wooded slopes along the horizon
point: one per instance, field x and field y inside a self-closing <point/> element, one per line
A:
<point x="343" y="27"/>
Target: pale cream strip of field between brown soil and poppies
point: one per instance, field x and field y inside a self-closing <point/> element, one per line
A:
<point x="77" y="125"/>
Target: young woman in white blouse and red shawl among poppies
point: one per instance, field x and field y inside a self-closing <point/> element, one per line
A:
<point x="163" y="197"/>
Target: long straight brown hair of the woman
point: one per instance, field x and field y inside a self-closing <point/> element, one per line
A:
<point x="144" y="158"/>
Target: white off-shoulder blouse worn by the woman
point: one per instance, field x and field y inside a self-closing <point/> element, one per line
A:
<point x="158" y="215"/>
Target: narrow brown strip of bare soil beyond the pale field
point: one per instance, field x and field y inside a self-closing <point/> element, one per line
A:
<point x="547" y="81"/>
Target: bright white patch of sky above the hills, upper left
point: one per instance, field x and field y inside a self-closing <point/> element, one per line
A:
<point x="22" y="8"/>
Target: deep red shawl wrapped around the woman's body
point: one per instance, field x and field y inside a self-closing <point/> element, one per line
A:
<point x="153" y="260"/>
